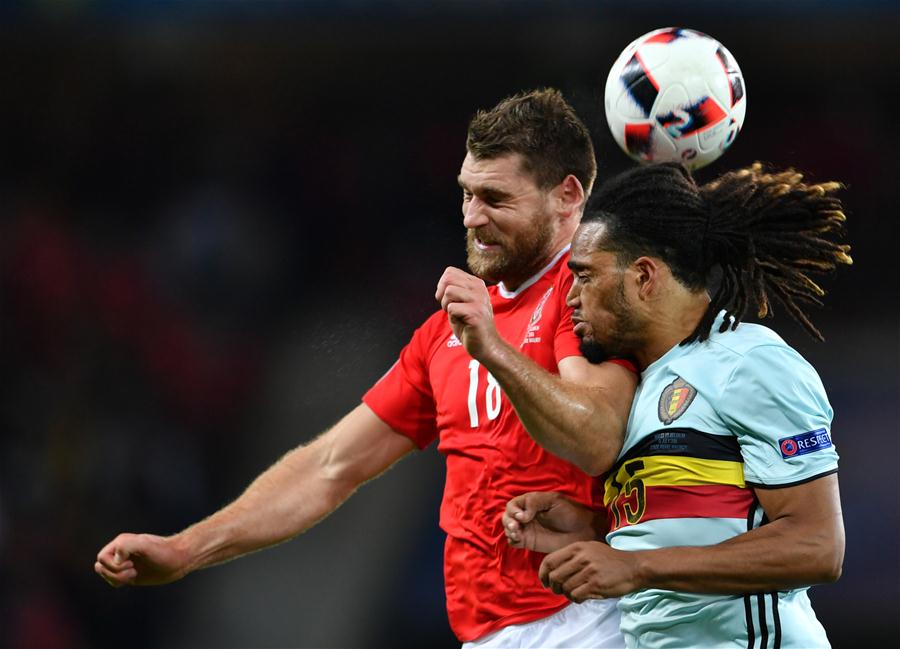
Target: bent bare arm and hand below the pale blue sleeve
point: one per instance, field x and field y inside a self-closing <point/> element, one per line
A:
<point x="803" y="544"/>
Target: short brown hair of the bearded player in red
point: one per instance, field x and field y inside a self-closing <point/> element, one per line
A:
<point x="544" y="129"/>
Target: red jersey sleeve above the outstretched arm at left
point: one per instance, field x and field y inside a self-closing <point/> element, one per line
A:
<point x="403" y="397"/>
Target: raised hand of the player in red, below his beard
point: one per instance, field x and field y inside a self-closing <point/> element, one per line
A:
<point x="465" y="299"/>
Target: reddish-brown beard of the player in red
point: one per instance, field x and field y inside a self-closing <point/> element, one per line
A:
<point x="520" y="255"/>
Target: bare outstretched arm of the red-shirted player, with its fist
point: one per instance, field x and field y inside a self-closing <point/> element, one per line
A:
<point x="296" y="492"/>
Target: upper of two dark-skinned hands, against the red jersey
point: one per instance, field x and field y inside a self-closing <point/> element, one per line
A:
<point x="545" y="521"/>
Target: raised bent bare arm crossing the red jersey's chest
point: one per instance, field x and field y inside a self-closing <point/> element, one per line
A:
<point x="579" y="415"/>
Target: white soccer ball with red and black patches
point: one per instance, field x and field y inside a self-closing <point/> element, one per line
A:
<point x="675" y="95"/>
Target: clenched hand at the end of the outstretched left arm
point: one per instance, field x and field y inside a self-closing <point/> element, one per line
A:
<point x="141" y="560"/>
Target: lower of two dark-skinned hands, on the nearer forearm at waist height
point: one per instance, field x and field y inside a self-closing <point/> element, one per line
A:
<point x="590" y="570"/>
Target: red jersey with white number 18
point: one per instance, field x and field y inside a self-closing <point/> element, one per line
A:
<point x="436" y="390"/>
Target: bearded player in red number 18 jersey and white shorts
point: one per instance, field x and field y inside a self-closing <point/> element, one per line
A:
<point x="528" y="168"/>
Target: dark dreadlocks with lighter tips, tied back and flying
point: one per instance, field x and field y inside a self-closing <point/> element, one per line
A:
<point x="761" y="232"/>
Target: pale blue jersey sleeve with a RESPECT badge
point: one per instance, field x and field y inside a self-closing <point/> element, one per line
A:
<point x="776" y="404"/>
